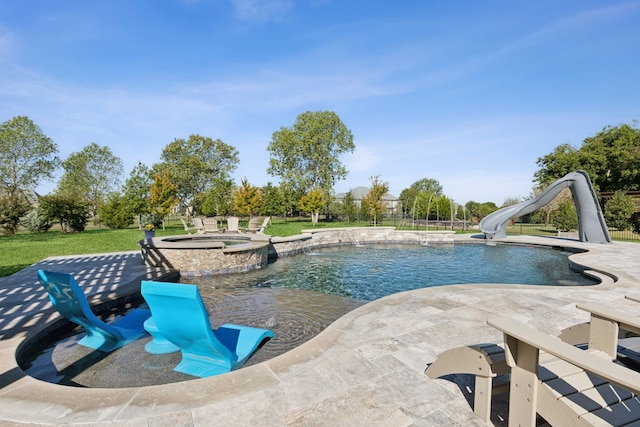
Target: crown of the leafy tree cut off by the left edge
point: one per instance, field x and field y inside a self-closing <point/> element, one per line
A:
<point x="27" y="156"/>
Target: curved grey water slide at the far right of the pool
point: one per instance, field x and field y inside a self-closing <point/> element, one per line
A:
<point x="591" y="223"/>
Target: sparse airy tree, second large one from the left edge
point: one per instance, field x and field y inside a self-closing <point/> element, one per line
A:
<point x="92" y="173"/>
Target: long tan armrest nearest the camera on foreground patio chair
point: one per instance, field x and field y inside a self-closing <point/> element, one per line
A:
<point x="516" y="332"/>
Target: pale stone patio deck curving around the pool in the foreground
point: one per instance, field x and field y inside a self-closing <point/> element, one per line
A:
<point x="365" y="368"/>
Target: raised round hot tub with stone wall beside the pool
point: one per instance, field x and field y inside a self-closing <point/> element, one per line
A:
<point x="206" y="254"/>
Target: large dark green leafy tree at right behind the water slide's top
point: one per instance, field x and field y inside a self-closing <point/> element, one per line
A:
<point x="611" y="158"/>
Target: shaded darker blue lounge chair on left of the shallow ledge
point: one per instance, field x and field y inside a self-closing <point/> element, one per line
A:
<point x="67" y="297"/>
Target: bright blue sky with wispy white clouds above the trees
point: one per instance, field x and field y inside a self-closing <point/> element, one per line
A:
<point x="470" y="93"/>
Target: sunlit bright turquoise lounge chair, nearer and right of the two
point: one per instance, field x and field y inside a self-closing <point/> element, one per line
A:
<point x="180" y="316"/>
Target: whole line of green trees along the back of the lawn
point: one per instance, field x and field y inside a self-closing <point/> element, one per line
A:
<point x="195" y="174"/>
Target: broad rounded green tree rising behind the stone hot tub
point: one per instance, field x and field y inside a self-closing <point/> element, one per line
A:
<point x="196" y="163"/>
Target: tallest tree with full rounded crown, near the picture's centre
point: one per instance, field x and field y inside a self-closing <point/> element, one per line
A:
<point x="306" y="156"/>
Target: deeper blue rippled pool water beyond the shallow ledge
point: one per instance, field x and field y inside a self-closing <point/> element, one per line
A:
<point x="373" y="271"/>
